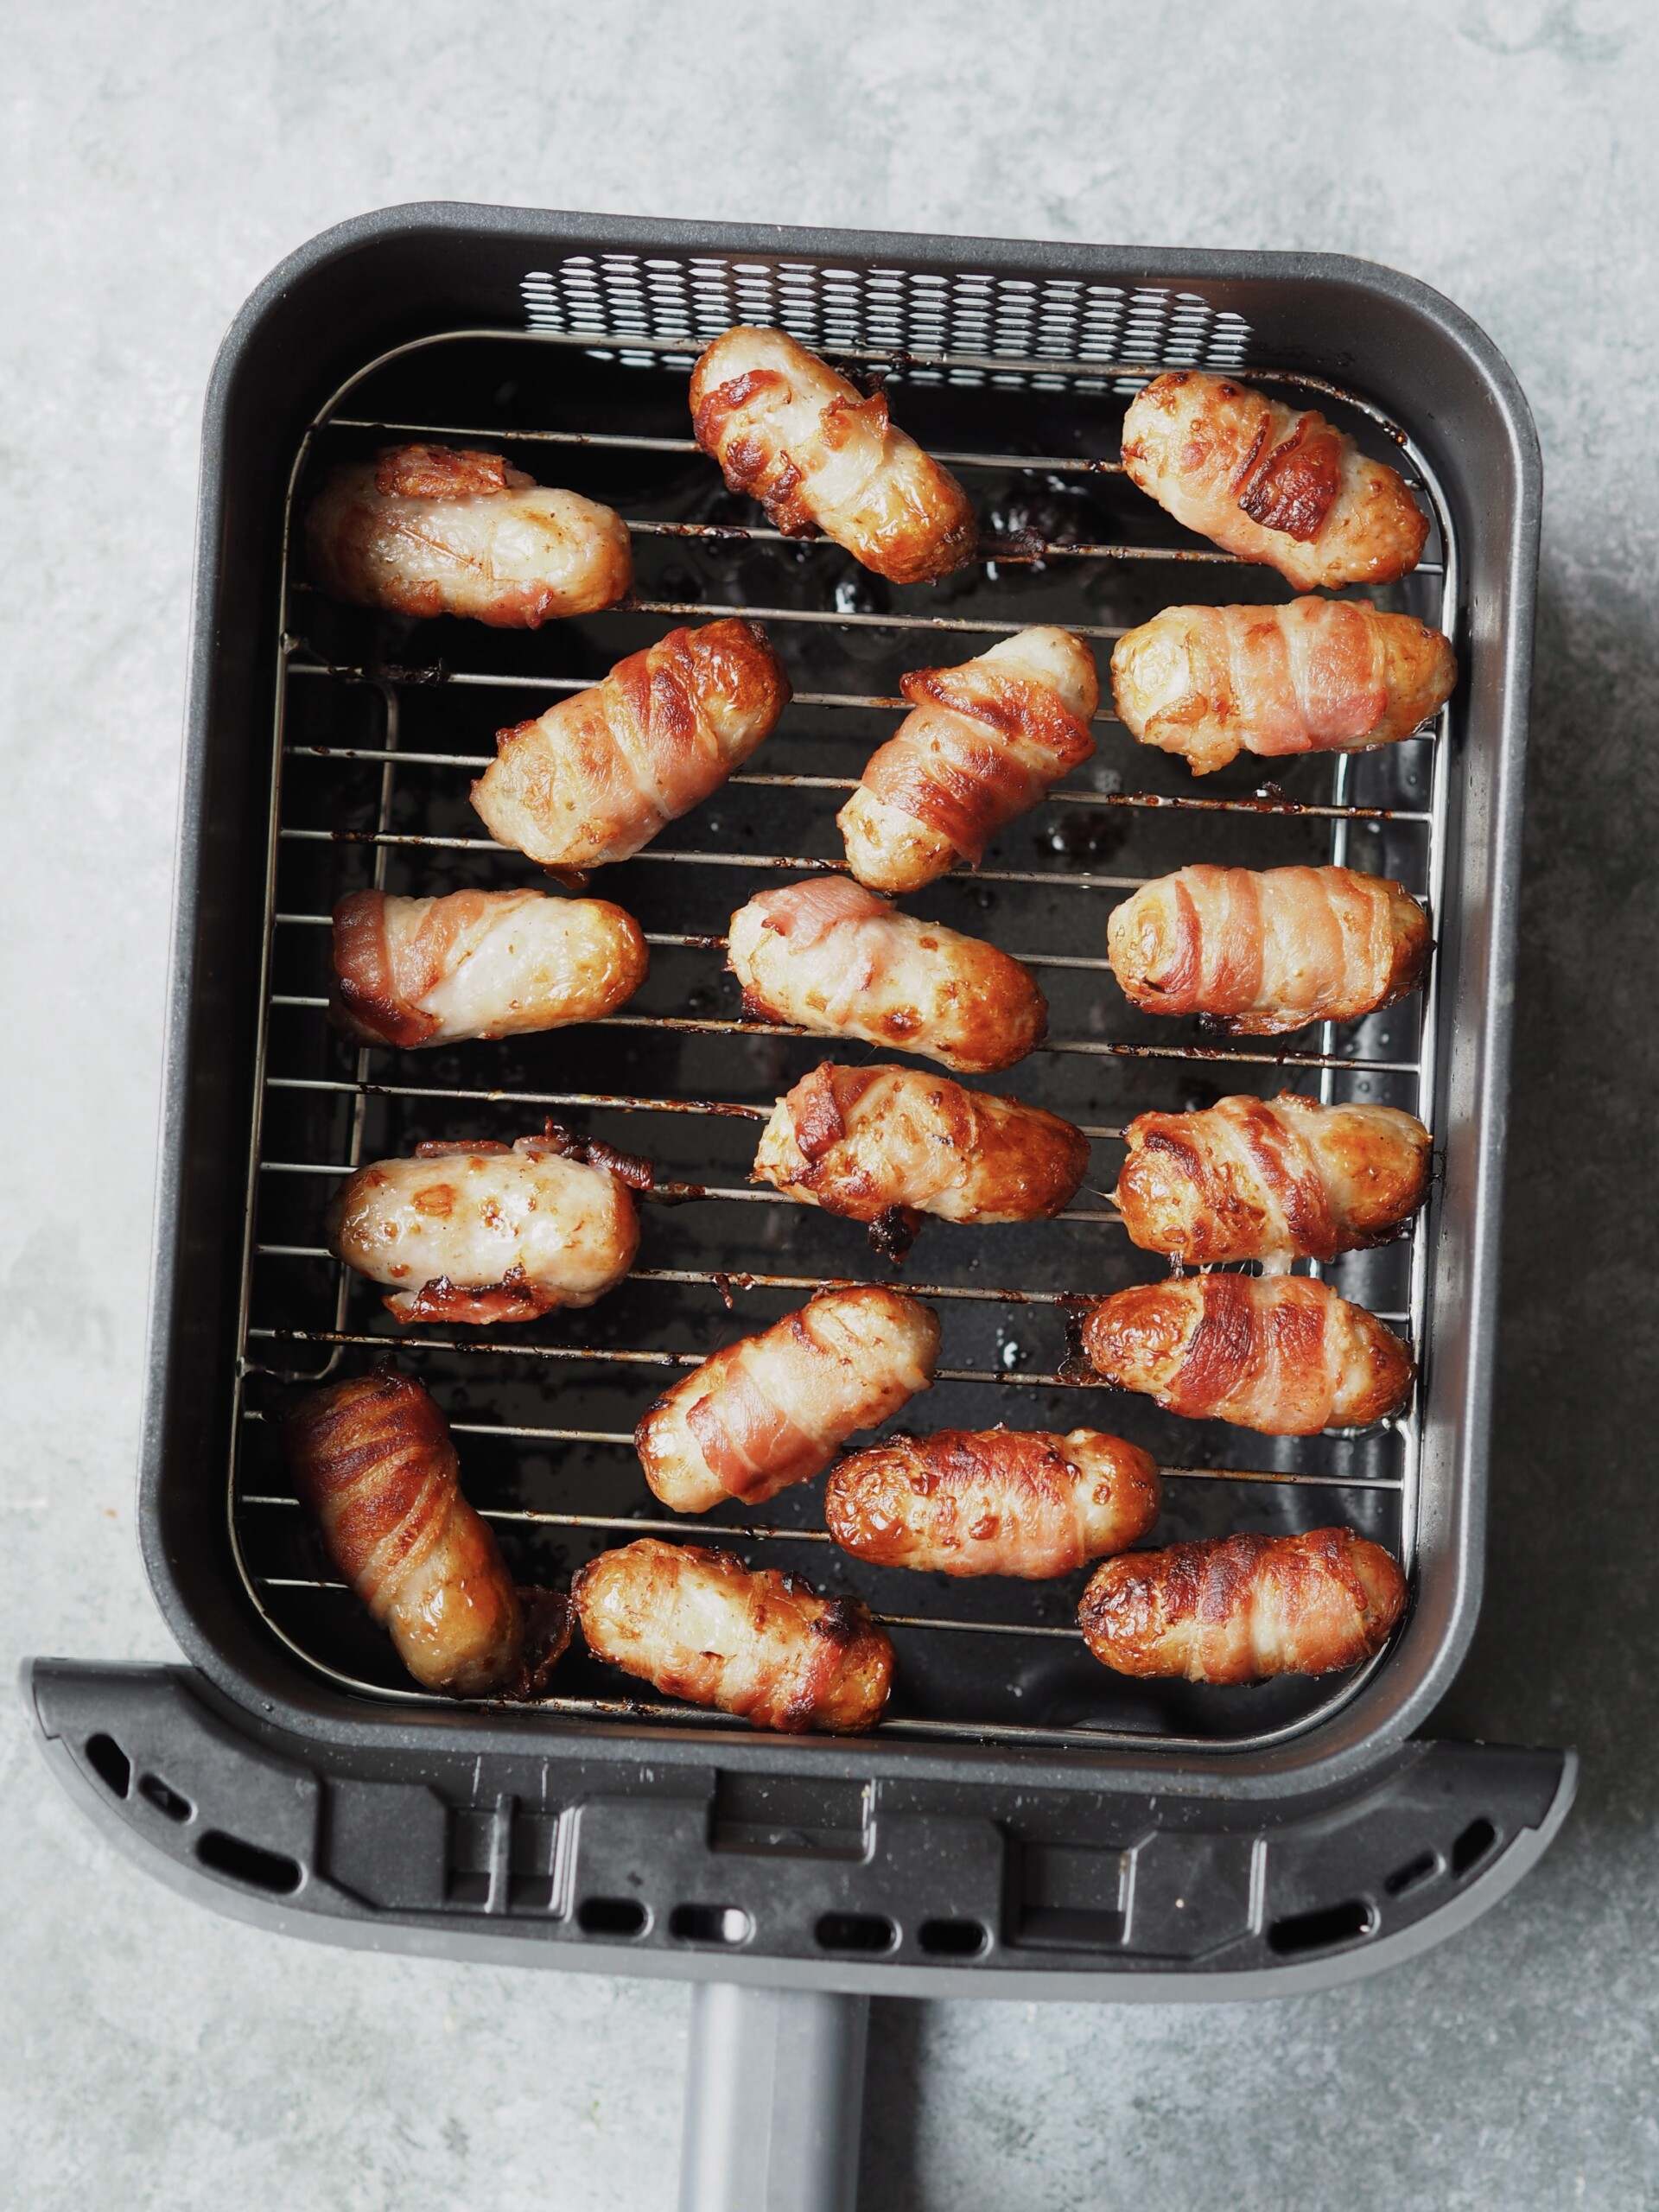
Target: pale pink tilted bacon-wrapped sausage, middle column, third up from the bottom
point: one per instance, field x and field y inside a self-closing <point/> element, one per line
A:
<point x="773" y="1410"/>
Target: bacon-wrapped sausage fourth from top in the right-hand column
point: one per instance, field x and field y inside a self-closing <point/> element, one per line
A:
<point x="1271" y="1180"/>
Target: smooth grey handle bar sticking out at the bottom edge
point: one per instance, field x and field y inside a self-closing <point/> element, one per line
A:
<point x="775" y="2094"/>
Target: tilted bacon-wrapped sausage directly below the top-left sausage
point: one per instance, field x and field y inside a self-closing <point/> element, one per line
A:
<point x="601" y="773"/>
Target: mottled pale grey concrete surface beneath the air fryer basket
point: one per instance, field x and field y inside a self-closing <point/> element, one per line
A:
<point x="156" y="163"/>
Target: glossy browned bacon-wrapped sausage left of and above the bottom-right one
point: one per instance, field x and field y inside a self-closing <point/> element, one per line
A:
<point x="992" y="1503"/>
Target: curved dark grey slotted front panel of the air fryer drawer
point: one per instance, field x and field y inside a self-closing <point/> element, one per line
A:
<point x="536" y="1857"/>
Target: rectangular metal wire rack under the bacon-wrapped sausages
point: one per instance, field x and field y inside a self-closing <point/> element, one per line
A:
<point x="382" y="727"/>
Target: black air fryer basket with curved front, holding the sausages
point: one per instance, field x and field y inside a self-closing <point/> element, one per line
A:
<point x="1025" y="1824"/>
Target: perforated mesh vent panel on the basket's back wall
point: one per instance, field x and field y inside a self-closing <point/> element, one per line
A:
<point x="901" y="311"/>
